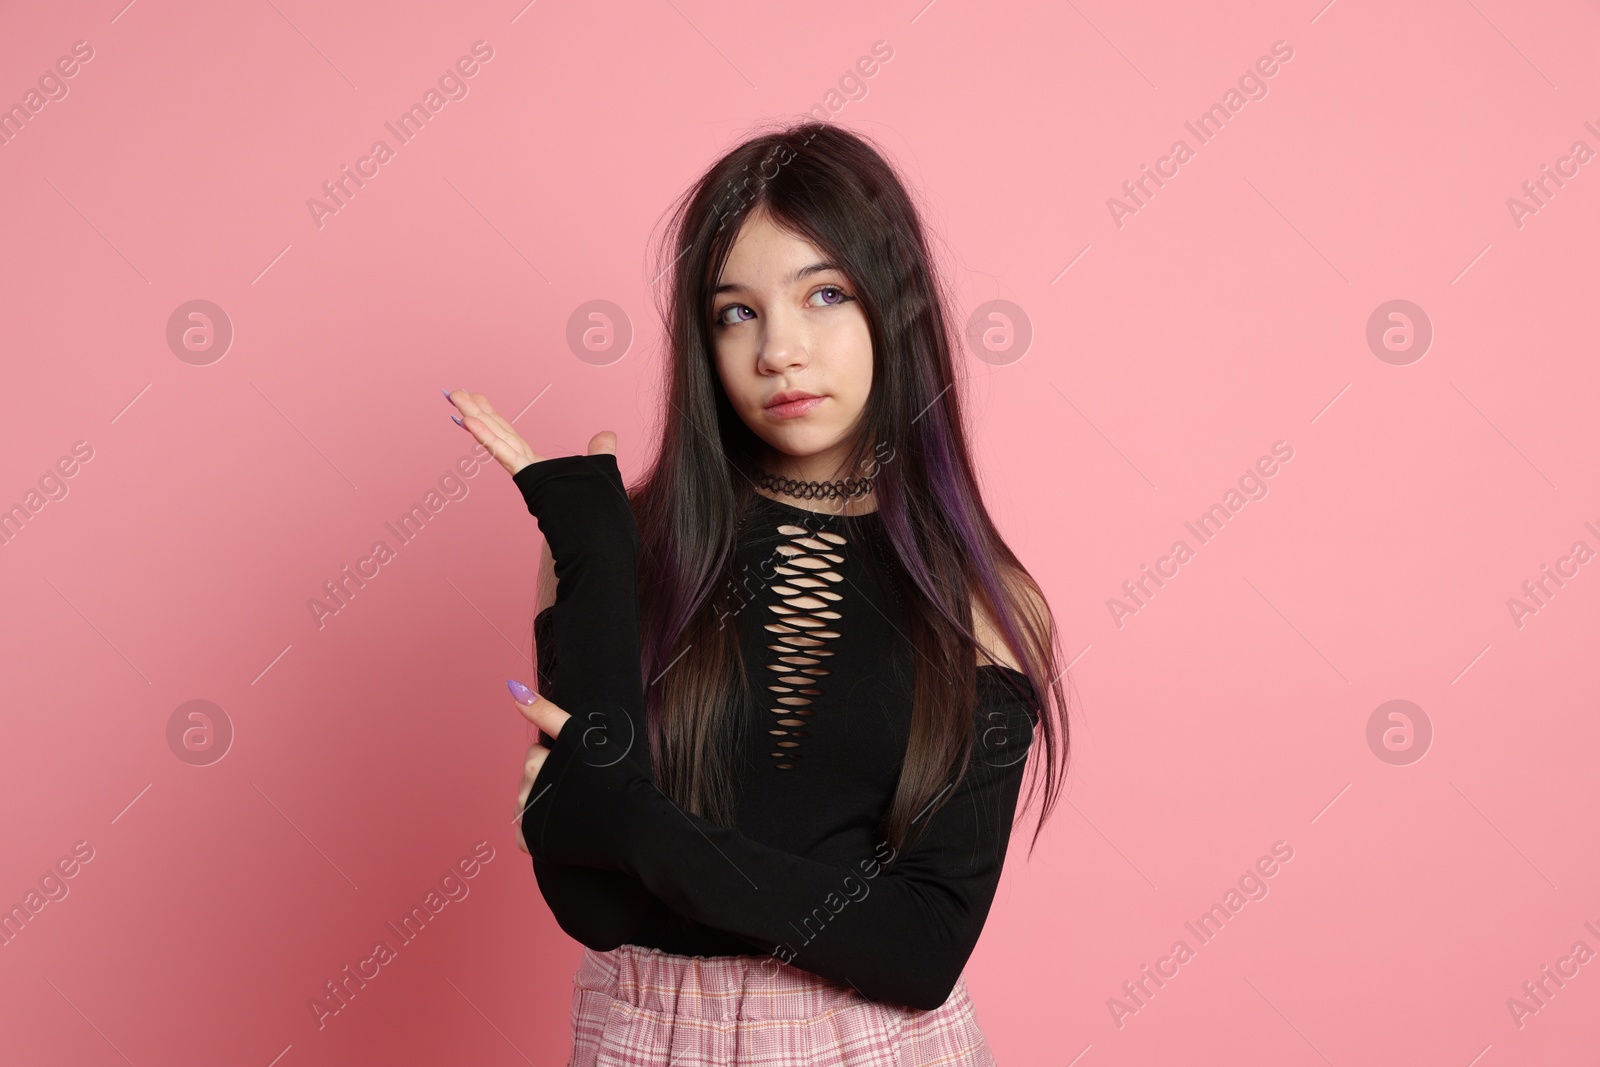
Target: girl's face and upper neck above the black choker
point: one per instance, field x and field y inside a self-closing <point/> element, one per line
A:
<point x="786" y="322"/>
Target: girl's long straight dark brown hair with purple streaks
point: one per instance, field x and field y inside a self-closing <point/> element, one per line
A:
<point x="836" y="191"/>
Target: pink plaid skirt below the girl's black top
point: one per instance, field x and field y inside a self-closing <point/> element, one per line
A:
<point x="638" y="1007"/>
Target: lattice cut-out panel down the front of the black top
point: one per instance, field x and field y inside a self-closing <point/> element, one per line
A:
<point x="804" y="621"/>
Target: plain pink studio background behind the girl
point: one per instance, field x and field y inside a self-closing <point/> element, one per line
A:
<point x="1228" y="314"/>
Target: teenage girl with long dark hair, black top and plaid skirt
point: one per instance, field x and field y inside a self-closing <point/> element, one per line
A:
<point x="790" y="682"/>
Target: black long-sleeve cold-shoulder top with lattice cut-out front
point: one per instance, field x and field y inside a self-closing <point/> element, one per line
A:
<point x="802" y="874"/>
